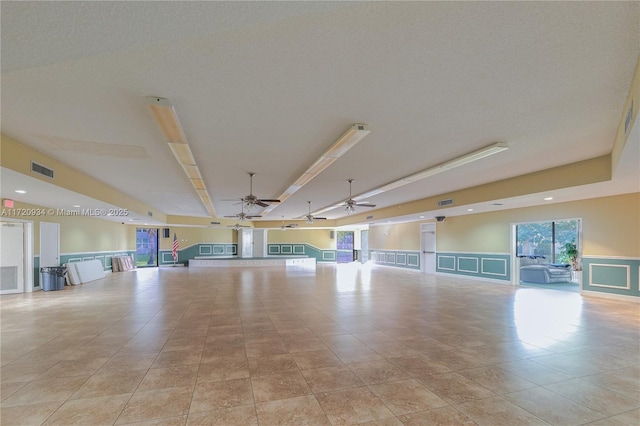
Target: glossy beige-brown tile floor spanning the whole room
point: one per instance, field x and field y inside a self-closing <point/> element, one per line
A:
<point x="348" y="344"/>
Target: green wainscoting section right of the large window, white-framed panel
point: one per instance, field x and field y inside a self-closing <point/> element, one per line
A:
<point x="611" y="275"/>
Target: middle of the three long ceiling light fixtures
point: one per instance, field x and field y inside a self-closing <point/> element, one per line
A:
<point x="348" y="140"/>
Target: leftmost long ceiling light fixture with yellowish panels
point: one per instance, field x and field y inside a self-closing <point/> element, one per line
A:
<point x="167" y="120"/>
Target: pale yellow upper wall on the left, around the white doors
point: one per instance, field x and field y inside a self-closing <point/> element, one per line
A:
<point x="79" y="234"/>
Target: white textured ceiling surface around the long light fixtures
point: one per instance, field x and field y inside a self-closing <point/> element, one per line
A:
<point x="268" y="86"/>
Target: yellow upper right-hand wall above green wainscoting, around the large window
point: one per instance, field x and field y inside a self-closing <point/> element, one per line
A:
<point x="610" y="227"/>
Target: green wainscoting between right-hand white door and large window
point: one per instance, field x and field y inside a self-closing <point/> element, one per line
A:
<point x="482" y="265"/>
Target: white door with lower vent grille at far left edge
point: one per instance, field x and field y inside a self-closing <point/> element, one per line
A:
<point x="11" y="257"/>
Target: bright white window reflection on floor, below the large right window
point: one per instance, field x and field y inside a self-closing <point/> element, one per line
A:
<point x="544" y="318"/>
